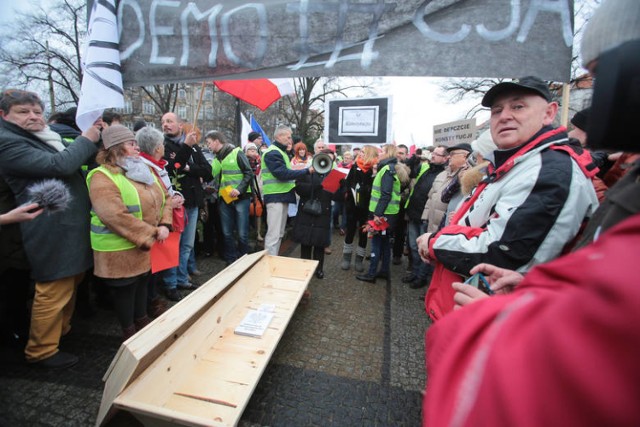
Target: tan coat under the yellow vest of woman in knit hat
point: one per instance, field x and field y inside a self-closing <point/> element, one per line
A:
<point x="108" y="205"/>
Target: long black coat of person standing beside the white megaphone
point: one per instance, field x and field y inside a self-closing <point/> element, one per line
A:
<point x="308" y="229"/>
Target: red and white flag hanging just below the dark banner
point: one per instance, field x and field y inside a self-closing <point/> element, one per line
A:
<point x="260" y="93"/>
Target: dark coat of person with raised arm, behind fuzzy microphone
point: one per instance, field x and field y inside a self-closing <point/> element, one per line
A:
<point x="57" y="245"/>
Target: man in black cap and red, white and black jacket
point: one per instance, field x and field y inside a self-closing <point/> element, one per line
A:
<point x="536" y="197"/>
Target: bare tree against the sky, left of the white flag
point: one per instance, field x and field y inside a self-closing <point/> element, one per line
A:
<point x="42" y="49"/>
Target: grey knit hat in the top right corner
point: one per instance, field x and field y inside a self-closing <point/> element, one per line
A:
<point x="613" y="23"/>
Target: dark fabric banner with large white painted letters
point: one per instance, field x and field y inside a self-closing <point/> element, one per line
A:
<point x="163" y="41"/>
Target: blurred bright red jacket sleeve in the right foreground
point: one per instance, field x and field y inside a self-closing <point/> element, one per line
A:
<point x="563" y="349"/>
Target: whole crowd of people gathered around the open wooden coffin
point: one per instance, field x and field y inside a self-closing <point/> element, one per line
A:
<point x="527" y="204"/>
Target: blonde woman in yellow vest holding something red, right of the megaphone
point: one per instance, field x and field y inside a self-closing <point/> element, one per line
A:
<point x="383" y="212"/>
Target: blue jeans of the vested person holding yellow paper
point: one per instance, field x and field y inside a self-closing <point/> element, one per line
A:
<point x="235" y="217"/>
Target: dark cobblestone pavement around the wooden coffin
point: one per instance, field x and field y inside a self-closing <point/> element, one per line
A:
<point x="354" y="355"/>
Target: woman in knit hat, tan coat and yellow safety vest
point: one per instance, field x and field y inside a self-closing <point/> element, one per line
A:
<point x="129" y="214"/>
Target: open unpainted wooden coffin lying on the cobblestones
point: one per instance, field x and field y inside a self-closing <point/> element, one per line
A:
<point x="188" y="367"/>
